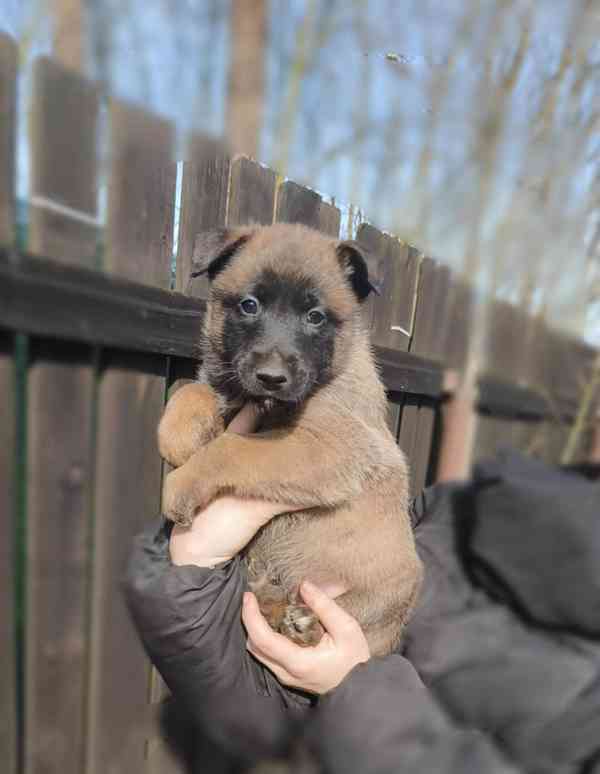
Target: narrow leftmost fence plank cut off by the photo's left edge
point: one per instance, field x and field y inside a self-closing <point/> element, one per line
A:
<point x="8" y="724"/>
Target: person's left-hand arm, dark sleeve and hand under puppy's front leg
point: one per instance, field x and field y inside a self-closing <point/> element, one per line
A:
<point x="184" y="589"/>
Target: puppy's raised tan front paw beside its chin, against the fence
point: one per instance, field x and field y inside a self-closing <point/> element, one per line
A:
<point x="191" y="419"/>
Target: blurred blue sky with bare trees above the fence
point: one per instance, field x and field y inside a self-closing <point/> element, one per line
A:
<point x="394" y="99"/>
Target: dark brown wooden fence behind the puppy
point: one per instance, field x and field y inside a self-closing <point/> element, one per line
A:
<point x="91" y="338"/>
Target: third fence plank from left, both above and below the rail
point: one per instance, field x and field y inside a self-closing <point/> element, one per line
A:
<point x="128" y="468"/>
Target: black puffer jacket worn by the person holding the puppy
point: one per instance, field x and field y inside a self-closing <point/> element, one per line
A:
<point x="501" y="663"/>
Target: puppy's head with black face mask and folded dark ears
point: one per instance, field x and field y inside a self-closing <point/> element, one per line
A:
<point x="283" y="308"/>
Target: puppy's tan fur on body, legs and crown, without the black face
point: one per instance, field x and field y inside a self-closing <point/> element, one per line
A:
<point x="336" y="460"/>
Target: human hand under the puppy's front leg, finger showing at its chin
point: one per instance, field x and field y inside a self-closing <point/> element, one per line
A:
<point x="224" y="527"/>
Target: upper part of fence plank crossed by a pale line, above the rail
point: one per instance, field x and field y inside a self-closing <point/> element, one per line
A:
<point x="64" y="120"/>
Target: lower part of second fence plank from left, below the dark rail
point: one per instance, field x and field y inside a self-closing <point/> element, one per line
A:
<point x="60" y="392"/>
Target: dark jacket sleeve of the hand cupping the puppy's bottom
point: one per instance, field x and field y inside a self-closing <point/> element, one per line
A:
<point x="382" y="719"/>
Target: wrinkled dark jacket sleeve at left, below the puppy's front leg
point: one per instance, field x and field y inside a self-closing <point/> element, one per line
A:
<point x="189" y="620"/>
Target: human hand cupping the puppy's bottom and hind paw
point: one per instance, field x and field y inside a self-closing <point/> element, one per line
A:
<point x="318" y="669"/>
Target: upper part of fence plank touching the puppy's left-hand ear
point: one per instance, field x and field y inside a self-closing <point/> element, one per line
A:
<point x="204" y="189"/>
